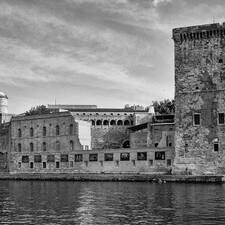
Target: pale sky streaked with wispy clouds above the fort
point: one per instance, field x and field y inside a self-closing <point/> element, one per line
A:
<point x="103" y="52"/>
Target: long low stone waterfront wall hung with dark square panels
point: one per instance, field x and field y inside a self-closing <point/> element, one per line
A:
<point x="137" y="162"/>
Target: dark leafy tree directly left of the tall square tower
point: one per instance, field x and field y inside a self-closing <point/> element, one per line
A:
<point x="164" y="107"/>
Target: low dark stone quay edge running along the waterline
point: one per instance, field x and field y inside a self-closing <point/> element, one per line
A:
<point x="123" y="177"/>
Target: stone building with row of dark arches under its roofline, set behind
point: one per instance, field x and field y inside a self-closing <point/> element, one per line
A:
<point x="109" y="125"/>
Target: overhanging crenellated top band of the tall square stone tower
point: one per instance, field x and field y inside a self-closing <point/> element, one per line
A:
<point x="215" y="30"/>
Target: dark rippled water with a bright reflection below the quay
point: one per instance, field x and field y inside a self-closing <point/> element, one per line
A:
<point x="39" y="202"/>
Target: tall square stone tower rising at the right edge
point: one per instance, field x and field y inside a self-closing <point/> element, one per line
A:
<point x="200" y="99"/>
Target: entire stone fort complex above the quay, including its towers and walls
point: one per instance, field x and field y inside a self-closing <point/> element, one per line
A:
<point x="84" y="139"/>
